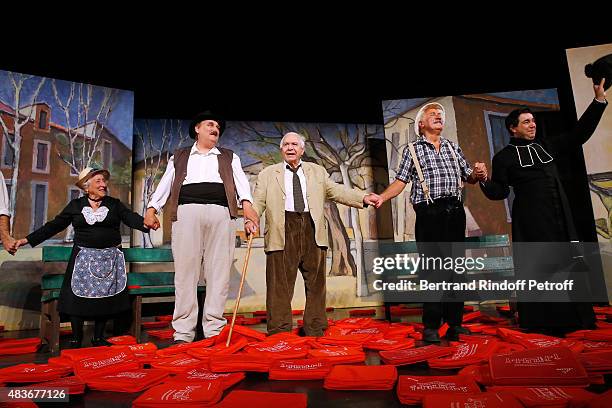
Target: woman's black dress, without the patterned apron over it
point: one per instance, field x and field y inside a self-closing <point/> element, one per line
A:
<point x="103" y="234"/>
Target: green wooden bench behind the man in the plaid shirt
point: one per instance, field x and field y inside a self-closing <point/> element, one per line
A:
<point x="494" y="266"/>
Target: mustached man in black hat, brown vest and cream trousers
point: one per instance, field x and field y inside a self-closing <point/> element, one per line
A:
<point x="200" y="191"/>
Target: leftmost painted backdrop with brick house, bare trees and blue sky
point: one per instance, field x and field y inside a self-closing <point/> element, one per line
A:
<point x="49" y="130"/>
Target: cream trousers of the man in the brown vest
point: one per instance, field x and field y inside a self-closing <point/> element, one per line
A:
<point x="203" y="240"/>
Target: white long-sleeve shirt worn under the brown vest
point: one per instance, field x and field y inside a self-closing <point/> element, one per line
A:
<point x="201" y="168"/>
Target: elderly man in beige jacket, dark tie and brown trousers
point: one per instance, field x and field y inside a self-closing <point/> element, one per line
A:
<point x="293" y="194"/>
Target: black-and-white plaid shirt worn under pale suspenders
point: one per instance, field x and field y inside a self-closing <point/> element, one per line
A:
<point x="439" y="169"/>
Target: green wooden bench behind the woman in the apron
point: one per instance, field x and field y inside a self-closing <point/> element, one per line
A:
<point x="152" y="286"/>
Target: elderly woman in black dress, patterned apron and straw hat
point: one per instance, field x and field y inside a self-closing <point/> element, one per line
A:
<point x="94" y="285"/>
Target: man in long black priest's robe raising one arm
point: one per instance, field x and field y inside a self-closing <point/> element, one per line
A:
<point x="540" y="210"/>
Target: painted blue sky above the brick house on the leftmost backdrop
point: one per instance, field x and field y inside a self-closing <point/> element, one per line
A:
<point x="120" y="120"/>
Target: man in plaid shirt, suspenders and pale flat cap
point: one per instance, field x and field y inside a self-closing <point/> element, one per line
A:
<point x="437" y="168"/>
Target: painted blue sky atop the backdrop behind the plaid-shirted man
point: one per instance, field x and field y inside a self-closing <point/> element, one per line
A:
<point x="392" y="108"/>
